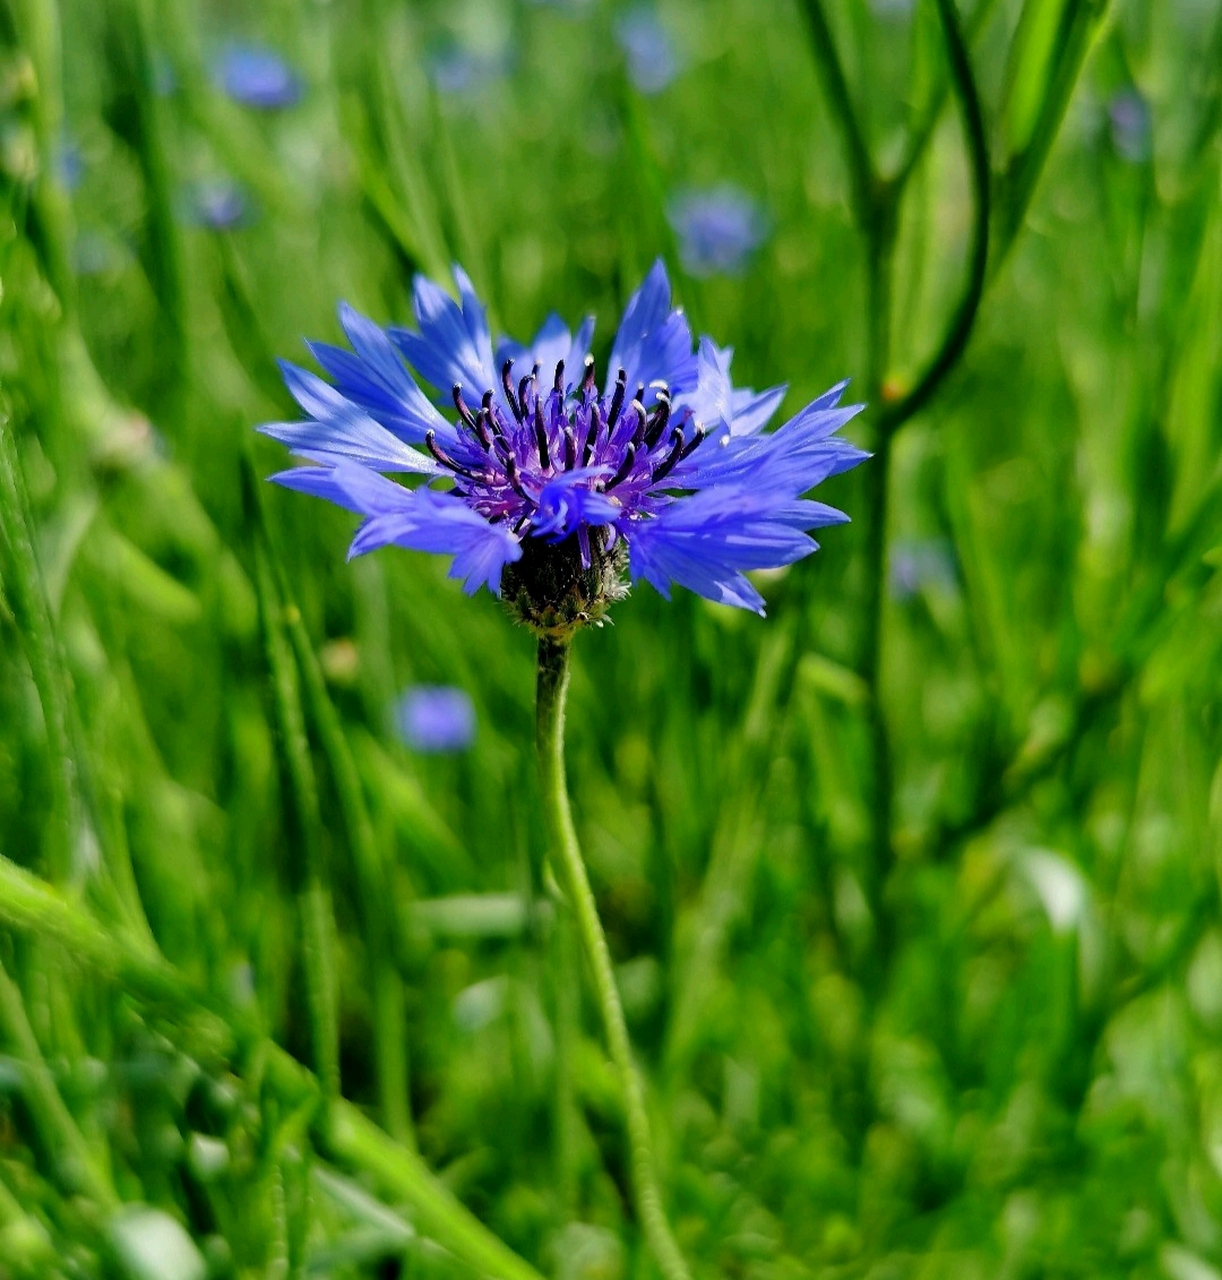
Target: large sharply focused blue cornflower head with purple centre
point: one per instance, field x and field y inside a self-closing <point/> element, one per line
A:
<point x="546" y="490"/>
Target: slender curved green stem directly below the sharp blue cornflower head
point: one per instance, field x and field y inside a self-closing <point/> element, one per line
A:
<point x="562" y="838"/>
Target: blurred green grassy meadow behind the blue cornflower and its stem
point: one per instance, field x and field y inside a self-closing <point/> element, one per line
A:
<point x="913" y="886"/>
